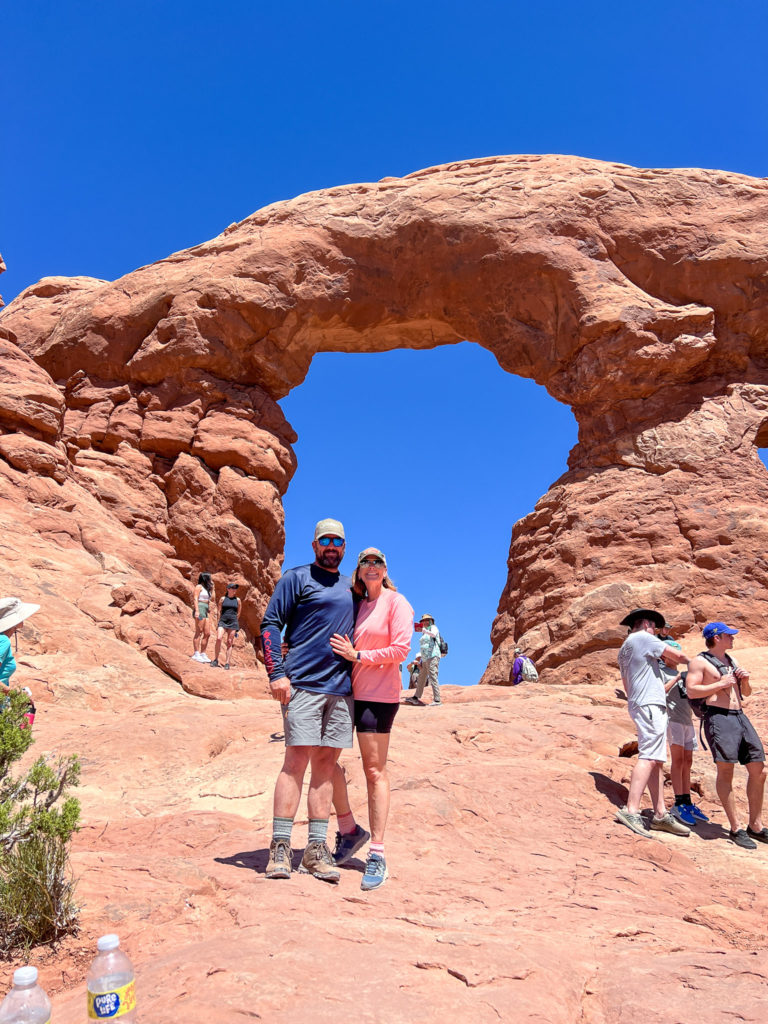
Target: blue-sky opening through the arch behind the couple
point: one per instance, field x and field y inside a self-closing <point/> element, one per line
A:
<point x="432" y="456"/>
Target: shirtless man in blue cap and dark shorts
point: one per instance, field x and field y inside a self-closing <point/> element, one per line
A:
<point x="715" y="677"/>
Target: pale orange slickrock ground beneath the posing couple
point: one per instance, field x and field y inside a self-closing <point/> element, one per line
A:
<point x="514" y="895"/>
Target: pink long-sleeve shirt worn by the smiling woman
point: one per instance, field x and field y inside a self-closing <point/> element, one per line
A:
<point x="382" y="635"/>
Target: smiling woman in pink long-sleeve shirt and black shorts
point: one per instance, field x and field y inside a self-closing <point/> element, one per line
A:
<point x="383" y="628"/>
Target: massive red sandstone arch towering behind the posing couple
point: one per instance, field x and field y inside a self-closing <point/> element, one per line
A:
<point x="636" y="296"/>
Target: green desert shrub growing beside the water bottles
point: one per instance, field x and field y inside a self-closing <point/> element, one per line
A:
<point x="38" y="819"/>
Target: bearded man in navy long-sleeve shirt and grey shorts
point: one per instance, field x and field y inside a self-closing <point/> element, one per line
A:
<point x="314" y="687"/>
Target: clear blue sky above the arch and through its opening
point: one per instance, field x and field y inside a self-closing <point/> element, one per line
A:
<point x="133" y="131"/>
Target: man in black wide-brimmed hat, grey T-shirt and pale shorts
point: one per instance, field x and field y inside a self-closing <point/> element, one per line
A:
<point x="638" y="662"/>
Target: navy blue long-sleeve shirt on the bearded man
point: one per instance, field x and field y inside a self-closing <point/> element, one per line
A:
<point x="311" y="605"/>
